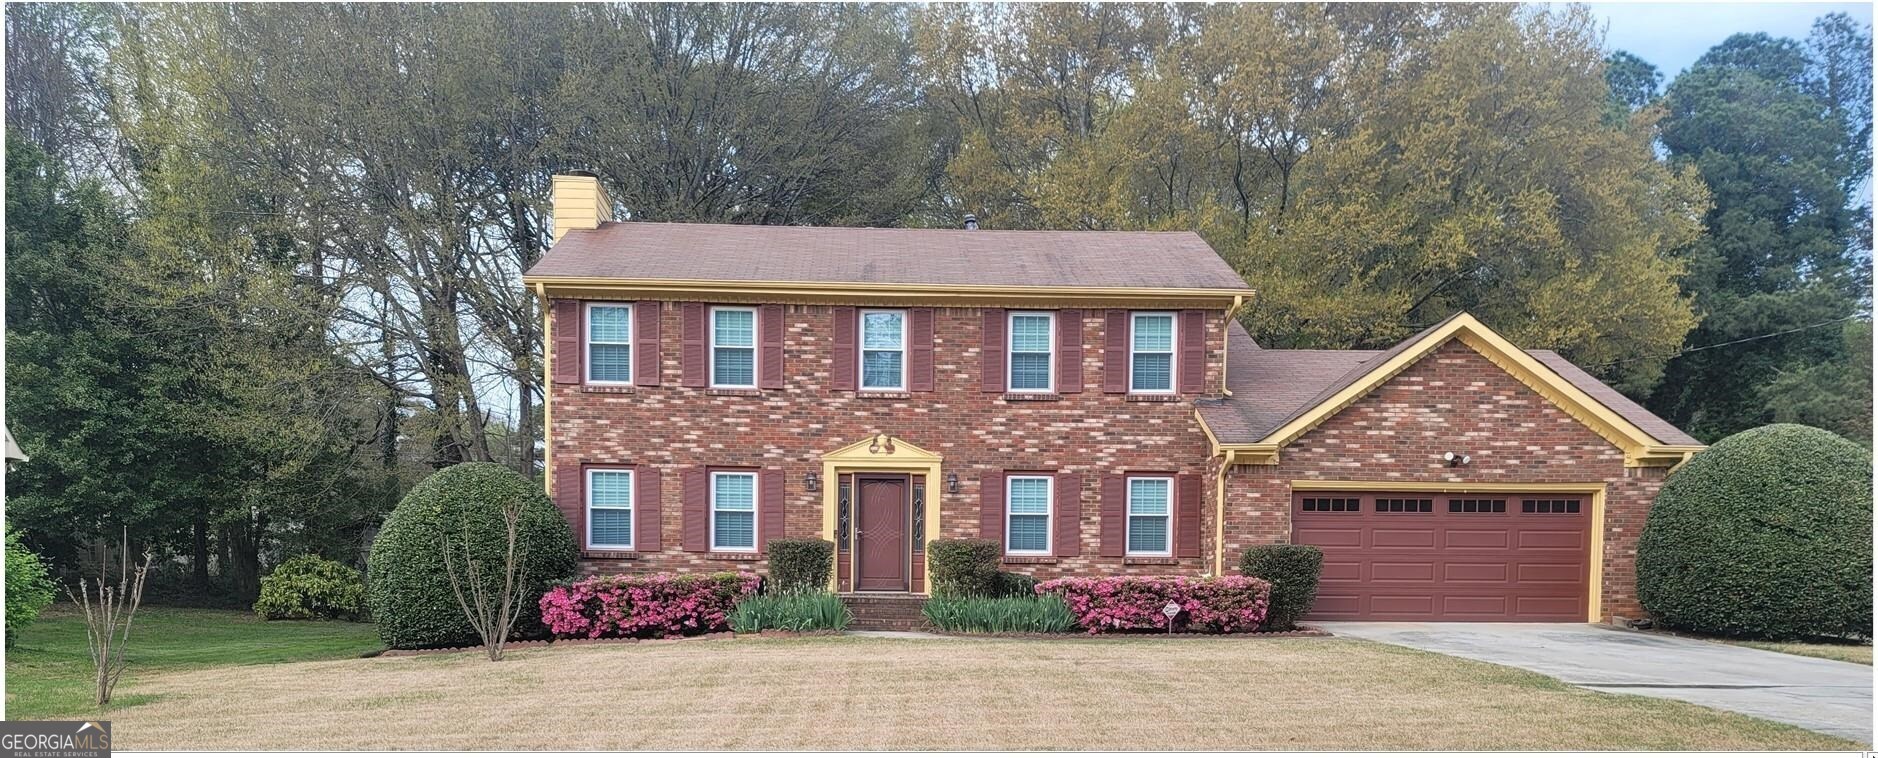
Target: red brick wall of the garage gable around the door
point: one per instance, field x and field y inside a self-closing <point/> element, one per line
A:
<point x="1453" y="401"/>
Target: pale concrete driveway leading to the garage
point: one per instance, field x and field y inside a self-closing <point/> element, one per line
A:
<point x="1815" y="693"/>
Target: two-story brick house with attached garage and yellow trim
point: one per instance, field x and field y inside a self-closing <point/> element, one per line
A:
<point x="1085" y="399"/>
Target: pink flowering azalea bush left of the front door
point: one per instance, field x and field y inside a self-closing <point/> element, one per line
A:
<point x="649" y="605"/>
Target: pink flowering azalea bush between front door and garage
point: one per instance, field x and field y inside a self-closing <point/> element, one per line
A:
<point x="1135" y="603"/>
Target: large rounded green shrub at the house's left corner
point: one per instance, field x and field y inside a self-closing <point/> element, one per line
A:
<point x="408" y="590"/>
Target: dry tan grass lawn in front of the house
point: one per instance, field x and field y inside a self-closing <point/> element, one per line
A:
<point x="882" y="693"/>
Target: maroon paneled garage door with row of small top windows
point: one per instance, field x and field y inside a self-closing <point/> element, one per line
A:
<point x="1423" y="556"/>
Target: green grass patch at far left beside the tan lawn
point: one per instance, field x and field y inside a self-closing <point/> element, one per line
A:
<point x="50" y="675"/>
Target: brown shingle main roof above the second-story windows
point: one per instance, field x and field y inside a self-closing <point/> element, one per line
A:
<point x="724" y="252"/>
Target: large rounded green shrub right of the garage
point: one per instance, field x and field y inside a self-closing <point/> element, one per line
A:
<point x="1764" y="536"/>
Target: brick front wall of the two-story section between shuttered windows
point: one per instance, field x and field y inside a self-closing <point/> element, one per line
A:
<point x="977" y="432"/>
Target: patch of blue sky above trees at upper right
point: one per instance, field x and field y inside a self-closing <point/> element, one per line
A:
<point x="1674" y="35"/>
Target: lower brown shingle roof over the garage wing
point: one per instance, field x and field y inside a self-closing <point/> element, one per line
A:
<point x="1270" y="389"/>
